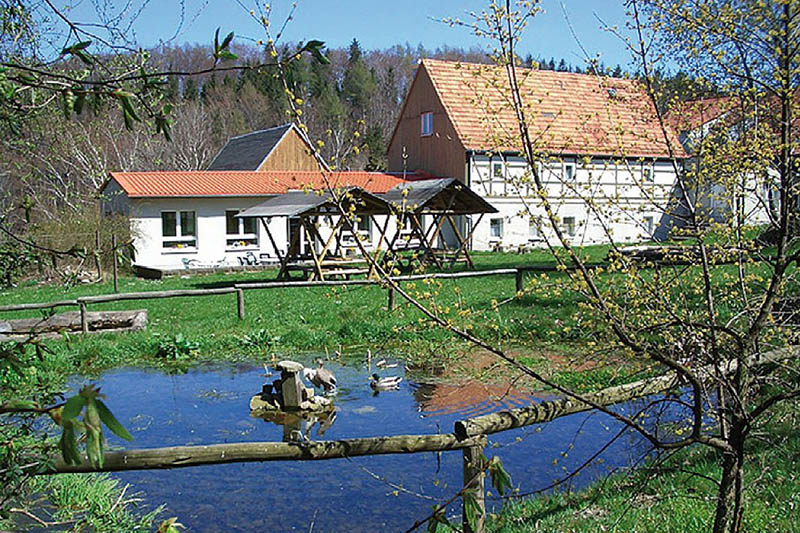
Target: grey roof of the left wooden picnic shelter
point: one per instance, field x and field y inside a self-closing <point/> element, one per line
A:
<point x="296" y="203"/>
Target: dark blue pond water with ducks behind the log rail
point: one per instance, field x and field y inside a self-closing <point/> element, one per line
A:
<point x="380" y="493"/>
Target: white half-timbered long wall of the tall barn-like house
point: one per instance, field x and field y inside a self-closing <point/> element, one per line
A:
<point x="596" y="200"/>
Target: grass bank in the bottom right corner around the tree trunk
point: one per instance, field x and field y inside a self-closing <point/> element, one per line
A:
<point x="676" y="495"/>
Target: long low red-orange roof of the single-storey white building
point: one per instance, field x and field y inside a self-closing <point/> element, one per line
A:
<point x="247" y="183"/>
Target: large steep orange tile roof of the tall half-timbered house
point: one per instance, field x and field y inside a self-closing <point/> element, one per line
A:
<point x="566" y="113"/>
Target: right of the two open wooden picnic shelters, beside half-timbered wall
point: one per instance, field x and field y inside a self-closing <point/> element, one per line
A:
<point x="444" y="200"/>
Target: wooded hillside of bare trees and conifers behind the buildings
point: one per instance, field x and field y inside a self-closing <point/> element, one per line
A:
<point x="51" y="168"/>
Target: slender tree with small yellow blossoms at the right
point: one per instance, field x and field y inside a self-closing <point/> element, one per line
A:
<point x="707" y="315"/>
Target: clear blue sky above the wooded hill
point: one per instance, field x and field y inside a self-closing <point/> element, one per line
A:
<point x="379" y="24"/>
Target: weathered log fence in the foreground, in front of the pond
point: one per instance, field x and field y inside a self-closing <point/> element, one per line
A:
<point x="469" y="435"/>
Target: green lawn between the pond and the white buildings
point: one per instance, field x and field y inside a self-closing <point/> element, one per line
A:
<point x="302" y="319"/>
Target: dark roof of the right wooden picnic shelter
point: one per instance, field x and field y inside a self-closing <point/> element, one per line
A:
<point x="443" y="195"/>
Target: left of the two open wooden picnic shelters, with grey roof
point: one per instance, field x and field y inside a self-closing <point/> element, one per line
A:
<point x="308" y="251"/>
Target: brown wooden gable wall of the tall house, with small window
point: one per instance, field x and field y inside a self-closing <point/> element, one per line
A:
<point x="441" y="154"/>
